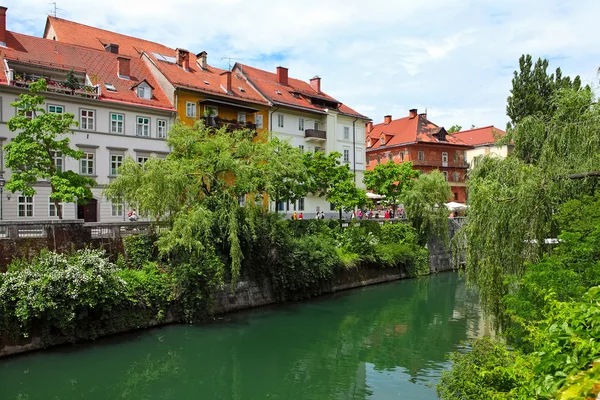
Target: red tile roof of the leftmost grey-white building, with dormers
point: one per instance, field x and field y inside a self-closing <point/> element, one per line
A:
<point x="97" y="64"/>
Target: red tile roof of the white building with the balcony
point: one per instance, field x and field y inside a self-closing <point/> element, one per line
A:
<point x="295" y="94"/>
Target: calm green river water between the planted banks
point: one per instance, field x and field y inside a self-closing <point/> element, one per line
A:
<point x="388" y="341"/>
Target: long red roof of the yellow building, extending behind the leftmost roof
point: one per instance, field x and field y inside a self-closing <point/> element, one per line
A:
<point x="205" y="80"/>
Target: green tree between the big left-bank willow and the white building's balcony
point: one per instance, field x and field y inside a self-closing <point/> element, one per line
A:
<point x="284" y="174"/>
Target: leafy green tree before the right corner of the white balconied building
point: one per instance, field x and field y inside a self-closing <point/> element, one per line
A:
<point x="328" y="178"/>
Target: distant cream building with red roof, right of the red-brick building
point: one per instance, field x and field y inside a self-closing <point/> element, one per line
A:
<point x="483" y="142"/>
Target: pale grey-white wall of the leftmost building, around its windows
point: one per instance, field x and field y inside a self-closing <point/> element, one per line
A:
<point x="98" y="141"/>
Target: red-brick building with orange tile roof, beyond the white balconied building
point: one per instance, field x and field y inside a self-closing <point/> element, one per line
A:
<point x="429" y="147"/>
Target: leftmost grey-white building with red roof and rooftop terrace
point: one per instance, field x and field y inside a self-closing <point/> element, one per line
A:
<point x="121" y="110"/>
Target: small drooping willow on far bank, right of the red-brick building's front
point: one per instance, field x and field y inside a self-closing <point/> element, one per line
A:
<point x="424" y="204"/>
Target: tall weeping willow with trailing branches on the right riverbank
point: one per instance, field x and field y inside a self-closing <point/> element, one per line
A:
<point x="513" y="201"/>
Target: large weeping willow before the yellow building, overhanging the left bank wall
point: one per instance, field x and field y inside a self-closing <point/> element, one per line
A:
<point x="197" y="188"/>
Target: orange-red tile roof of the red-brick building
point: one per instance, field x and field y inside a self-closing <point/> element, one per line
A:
<point x="409" y="130"/>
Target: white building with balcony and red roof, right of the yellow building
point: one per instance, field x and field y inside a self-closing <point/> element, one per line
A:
<point x="312" y="121"/>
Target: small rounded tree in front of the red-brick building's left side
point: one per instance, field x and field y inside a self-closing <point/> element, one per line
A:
<point x="391" y="180"/>
